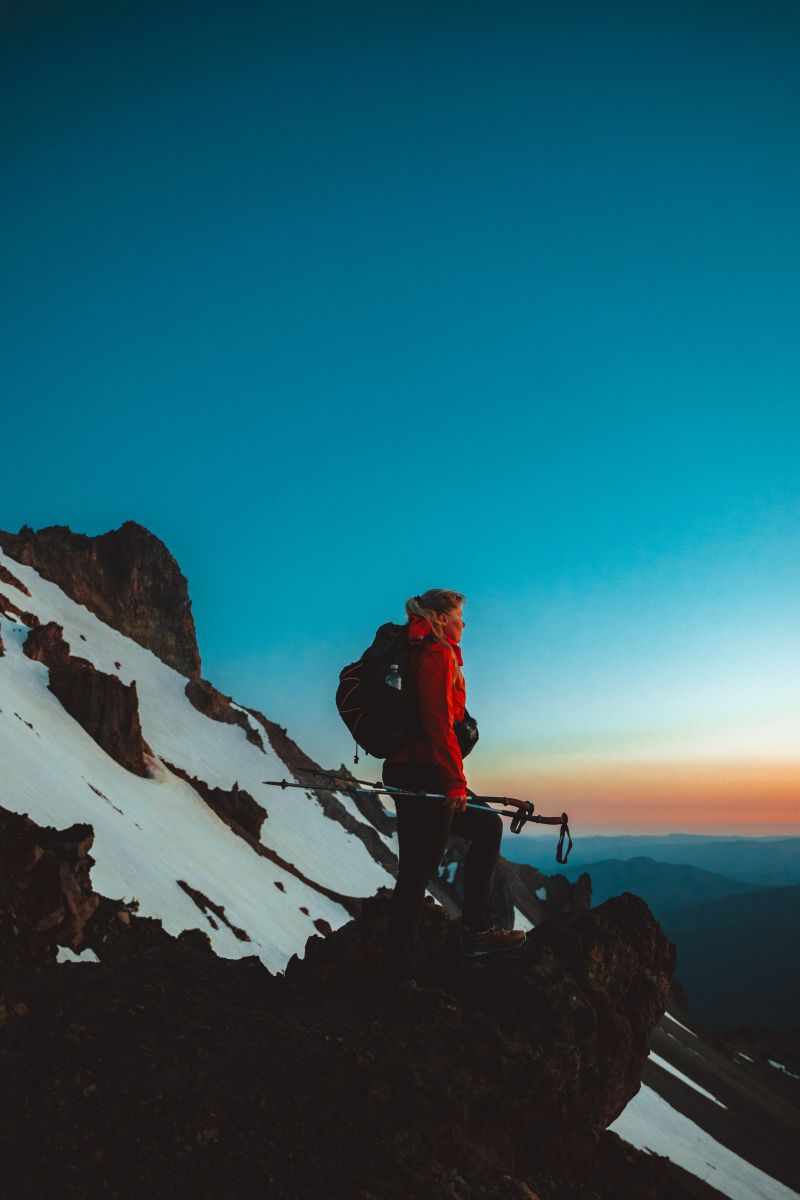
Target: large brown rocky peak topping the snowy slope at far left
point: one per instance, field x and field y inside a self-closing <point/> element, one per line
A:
<point x="128" y="578"/>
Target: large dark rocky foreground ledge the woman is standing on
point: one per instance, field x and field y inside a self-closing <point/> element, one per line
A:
<point x="215" y="1078"/>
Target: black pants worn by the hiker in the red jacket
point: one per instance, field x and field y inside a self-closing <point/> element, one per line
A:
<point x="423" y="830"/>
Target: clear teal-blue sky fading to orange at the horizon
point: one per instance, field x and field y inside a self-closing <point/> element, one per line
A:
<point x="347" y="302"/>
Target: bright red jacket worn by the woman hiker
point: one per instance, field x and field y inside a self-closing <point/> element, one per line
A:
<point x="442" y="698"/>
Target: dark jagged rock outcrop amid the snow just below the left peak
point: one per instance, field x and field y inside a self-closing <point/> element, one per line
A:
<point x="103" y="705"/>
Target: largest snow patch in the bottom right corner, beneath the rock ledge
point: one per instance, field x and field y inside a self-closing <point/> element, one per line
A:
<point x="651" y="1124"/>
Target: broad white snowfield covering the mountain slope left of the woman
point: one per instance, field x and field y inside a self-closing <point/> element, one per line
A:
<point x="151" y="833"/>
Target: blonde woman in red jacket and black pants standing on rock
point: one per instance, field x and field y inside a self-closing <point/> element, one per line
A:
<point x="434" y="764"/>
